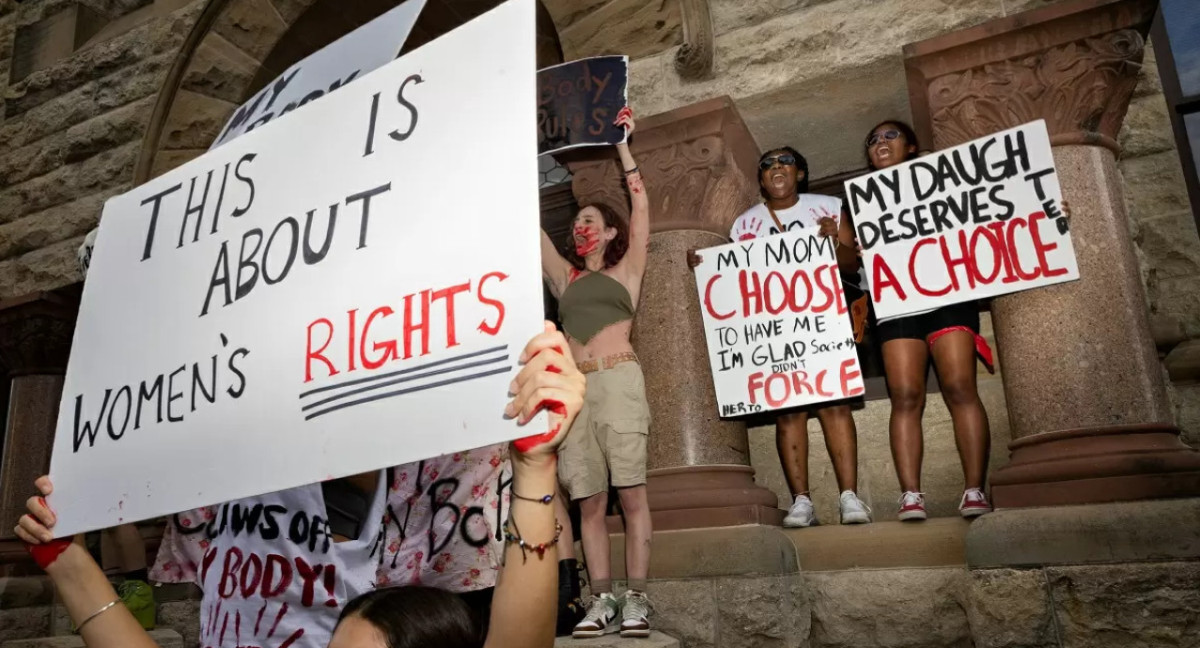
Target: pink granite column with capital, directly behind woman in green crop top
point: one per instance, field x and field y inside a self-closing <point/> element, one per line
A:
<point x="699" y="164"/>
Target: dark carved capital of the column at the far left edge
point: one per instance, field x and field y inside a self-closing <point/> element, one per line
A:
<point x="37" y="333"/>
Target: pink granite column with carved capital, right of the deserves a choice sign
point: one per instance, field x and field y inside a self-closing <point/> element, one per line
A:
<point x="1085" y="391"/>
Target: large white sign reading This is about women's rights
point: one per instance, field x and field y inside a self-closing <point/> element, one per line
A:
<point x="326" y="296"/>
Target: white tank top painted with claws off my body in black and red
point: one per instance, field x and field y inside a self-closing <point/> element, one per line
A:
<point x="273" y="575"/>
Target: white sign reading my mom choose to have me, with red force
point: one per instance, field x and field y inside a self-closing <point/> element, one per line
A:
<point x="777" y="323"/>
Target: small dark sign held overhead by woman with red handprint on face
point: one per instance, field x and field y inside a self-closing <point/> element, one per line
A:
<point x="578" y="103"/>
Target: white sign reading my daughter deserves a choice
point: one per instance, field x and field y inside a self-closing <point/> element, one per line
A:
<point x="976" y="221"/>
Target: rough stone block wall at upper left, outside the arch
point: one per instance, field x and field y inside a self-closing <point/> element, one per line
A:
<point x="71" y="133"/>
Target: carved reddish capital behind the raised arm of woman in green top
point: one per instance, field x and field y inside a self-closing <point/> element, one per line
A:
<point x="699" y="164"/>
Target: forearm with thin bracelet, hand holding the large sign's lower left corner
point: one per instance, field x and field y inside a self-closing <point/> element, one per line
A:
<point x="97" y="610"/>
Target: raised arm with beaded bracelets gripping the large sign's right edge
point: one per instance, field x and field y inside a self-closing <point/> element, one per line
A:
<point x="525" y="607"/>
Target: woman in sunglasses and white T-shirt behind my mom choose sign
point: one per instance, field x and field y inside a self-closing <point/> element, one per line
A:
<point x="784" y="182"/>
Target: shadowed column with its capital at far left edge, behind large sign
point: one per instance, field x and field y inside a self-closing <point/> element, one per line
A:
<point x="35" y="341"/>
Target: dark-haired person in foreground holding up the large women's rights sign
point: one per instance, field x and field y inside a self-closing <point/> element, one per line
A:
<point x="525" y="604"/>
